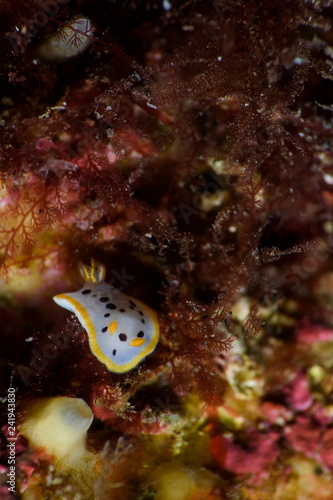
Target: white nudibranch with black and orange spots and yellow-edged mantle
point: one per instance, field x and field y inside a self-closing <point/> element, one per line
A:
<point x="121" y="329"/>
